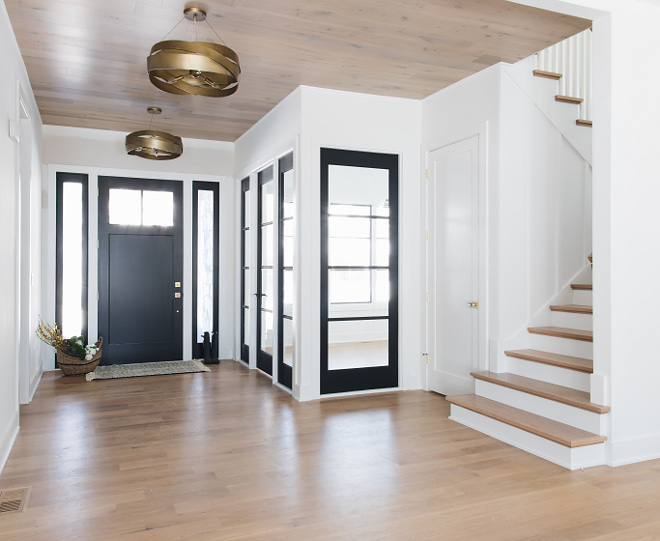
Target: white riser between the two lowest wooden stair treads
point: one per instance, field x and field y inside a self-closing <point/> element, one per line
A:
<point x="563" y="413"/>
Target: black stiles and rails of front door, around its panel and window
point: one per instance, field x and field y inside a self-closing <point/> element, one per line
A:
<point x="104" y="231"/>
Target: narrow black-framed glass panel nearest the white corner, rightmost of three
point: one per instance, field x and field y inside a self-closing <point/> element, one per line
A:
<point x="286" y="246"/>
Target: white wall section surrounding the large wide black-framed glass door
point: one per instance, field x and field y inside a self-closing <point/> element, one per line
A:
<point x="368" y="123"/>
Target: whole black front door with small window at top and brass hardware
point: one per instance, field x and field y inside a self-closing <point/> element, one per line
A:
<point x="140" y="270"/>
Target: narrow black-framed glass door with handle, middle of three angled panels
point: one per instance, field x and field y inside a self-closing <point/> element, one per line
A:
<point x="265" y="275"/>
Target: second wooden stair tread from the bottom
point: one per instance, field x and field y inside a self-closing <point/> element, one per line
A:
<point x="551" y="391"/>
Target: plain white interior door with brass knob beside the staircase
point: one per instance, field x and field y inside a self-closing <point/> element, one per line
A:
<point x="453" y="267"/>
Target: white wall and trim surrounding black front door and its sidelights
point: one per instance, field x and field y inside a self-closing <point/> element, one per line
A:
<point x="97" y="153"/>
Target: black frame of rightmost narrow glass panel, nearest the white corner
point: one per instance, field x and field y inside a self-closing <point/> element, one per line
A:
<point x="284" y="371"/>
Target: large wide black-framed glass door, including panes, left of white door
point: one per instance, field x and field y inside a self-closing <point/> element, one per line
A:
<point x="359" y="270"/>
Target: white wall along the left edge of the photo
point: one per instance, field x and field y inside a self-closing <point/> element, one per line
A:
<point x="15" y="78"/>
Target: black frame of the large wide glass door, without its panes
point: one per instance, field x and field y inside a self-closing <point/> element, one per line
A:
<point x="381" y="377"/>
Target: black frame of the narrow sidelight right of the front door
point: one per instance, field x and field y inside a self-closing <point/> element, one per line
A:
<point x="197" y="342"/>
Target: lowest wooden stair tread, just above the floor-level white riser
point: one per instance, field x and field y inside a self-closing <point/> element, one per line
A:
<point x="546" y="428"/>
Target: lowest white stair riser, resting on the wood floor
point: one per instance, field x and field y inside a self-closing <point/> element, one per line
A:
<point x="573" y="459"/>
